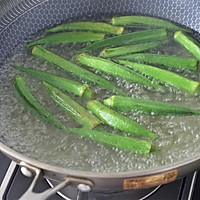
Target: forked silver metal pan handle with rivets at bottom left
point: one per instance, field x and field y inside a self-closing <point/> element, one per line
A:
<point x="29" y="194"/>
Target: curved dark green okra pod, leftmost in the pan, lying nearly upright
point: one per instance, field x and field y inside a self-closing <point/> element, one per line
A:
<point x="33" y="104"/>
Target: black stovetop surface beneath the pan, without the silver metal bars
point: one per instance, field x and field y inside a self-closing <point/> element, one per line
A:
<point x="187" y="188"/>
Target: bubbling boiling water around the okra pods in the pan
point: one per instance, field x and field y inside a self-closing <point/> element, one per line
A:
<point x="25" y="133"/>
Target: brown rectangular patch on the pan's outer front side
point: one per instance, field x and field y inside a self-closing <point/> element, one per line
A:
<point x="150" y="181"/>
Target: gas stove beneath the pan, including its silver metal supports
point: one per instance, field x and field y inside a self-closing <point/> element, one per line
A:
<point x="14" y="184"/>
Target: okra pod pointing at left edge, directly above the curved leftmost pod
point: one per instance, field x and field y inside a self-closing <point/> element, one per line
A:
<point x="65" y="84"/>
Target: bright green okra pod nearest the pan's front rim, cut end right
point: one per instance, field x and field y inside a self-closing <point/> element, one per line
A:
<point x="114" y="140"/>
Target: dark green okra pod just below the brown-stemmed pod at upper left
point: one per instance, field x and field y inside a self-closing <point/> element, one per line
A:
<point x="69" y="37"/>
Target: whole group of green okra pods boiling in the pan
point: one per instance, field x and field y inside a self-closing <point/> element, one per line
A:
<point x="126" y="46"/>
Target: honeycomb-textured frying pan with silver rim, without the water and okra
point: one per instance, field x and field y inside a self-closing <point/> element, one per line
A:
<point x="23" y="18"/>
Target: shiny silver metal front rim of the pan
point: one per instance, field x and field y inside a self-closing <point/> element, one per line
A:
<point x="80" y="173"/>
